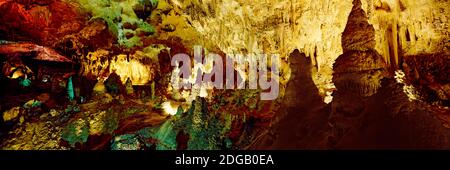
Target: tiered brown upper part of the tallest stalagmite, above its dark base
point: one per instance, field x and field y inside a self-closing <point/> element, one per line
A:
<point x="360" y="69"/>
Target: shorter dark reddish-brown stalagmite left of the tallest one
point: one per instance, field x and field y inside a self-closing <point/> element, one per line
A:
<point x="299" y="123"/>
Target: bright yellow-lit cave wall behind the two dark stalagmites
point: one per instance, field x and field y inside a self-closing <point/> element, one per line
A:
<point x="402" y="27"/>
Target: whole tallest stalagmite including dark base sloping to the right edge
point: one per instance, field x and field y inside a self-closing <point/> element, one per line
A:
<point x="370" y="109"/>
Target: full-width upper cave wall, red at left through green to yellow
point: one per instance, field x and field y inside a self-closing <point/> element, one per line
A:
<point x="402" y="27"/>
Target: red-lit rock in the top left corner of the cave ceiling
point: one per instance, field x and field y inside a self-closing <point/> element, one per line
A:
<point x="38" y="21"/>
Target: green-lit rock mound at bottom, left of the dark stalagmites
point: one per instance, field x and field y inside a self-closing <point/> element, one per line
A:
<point x="206" y="131"/>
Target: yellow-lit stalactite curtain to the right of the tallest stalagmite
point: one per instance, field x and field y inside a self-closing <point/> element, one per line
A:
<point x="415" y="28"/>
